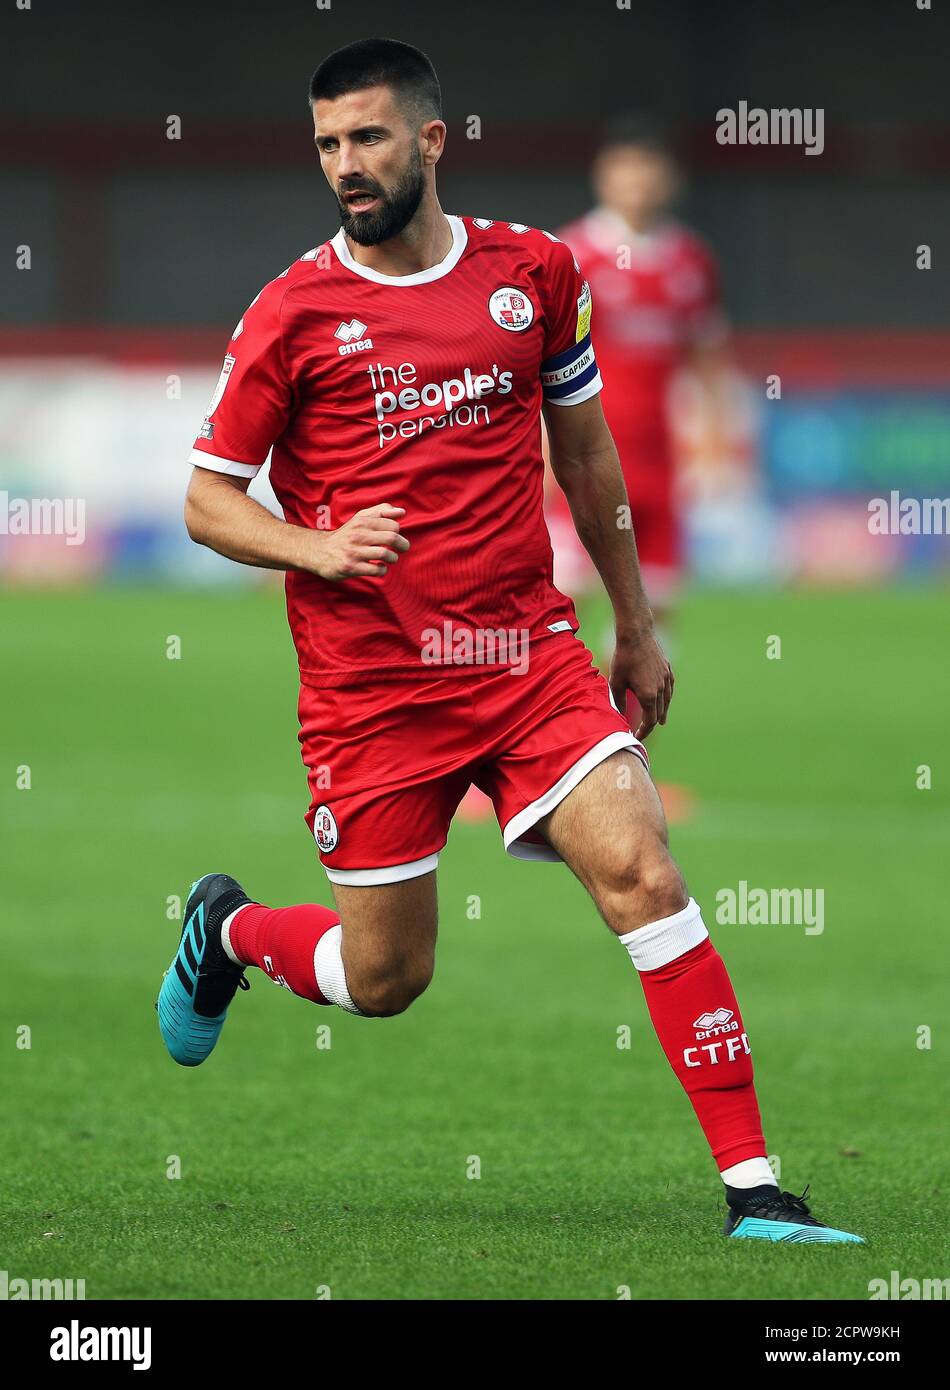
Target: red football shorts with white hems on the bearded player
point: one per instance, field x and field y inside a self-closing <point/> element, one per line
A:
<point x="389" y="761"/>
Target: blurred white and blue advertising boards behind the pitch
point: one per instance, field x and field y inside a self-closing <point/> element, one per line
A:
<point x="95" y="434"/>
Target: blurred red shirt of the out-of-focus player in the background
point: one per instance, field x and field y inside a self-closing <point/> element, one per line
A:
<point x="657" y="295"/>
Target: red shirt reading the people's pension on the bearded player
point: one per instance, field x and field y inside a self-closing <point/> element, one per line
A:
<point x="422" y="391"/>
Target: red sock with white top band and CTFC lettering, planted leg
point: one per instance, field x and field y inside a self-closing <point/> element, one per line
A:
<point x="696" y="1015"/>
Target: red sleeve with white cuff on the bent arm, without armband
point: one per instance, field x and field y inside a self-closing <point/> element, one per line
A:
<point x="251" y="404"/>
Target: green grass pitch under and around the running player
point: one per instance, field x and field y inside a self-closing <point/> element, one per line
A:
<point x="346" y="1168"/>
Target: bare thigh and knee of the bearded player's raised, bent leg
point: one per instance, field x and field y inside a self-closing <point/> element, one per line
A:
<point x="389" y="942"/>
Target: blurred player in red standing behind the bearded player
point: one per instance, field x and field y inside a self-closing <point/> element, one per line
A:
<point x="656" y="290"/>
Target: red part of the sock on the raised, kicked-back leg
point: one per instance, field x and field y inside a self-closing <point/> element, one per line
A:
<point x="282" y="942"/>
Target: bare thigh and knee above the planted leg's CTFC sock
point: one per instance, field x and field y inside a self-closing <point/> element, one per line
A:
<point x="611" y="832"/>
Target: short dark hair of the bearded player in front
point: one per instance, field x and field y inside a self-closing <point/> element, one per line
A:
<point x="380" y="63"/>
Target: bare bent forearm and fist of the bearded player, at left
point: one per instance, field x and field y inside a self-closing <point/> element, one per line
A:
<point x="220" y="515"/>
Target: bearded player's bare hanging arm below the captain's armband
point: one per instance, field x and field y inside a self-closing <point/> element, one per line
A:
<point x="586" y="465"/>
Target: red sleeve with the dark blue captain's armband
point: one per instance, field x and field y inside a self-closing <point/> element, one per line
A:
<point x="570" y="372"/>
